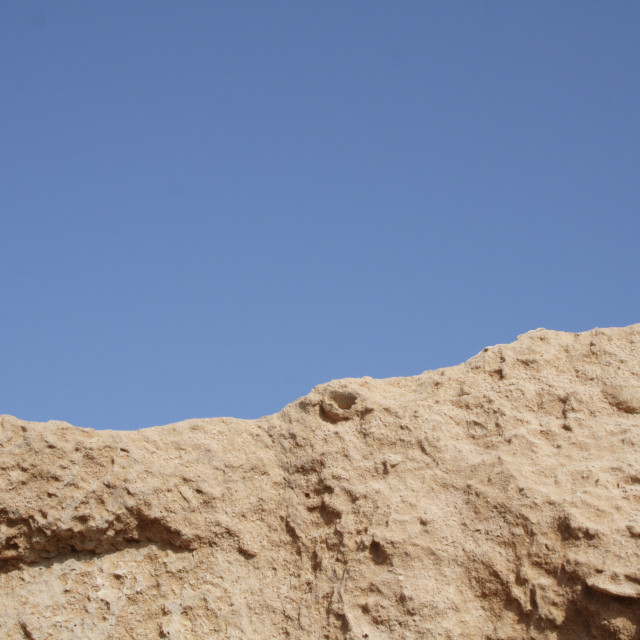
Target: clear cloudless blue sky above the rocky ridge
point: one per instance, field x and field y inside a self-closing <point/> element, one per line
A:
<point x="207" y="208"/>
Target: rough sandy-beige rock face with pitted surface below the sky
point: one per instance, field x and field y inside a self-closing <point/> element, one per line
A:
<point x="498" y="499"/>
